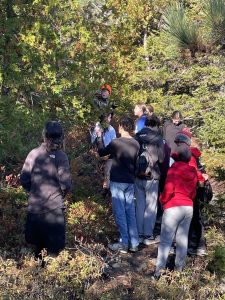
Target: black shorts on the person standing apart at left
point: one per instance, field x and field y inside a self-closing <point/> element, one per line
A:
<point x="46" y="230"/>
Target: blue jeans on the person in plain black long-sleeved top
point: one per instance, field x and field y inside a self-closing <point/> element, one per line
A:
<point x="124" y="212"/>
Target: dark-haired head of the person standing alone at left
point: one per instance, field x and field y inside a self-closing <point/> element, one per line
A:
<point x="53" y="134"/>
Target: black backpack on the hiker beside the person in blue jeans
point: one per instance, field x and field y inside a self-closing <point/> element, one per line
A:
<point x="144" y="161"/>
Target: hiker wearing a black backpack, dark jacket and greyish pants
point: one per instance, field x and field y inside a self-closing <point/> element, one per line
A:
<point x="151" y="155"/>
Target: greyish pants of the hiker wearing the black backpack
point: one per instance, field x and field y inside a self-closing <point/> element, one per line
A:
<point x="146" y="192"/>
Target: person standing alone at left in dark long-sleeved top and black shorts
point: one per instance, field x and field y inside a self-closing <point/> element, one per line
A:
<point x="46" y="177"/>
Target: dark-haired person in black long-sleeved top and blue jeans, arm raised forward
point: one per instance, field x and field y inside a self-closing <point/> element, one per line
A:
<point x="124" y="151"/>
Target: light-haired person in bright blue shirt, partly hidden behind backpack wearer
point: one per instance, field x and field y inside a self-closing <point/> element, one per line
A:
<point x="142" y="111"/>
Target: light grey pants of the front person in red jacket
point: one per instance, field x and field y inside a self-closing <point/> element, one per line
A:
<point x="176" y="221"/>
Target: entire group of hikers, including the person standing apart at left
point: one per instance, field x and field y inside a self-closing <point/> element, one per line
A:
<point x="154" y="175"/>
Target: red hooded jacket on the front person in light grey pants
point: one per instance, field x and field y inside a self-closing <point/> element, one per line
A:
<point x="180" y="186"/>
